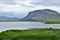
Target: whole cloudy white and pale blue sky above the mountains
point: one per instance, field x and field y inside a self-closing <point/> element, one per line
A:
<point x="20" y="8"/>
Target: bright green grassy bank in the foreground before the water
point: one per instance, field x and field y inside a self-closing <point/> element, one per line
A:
<point x="32" y="34"/>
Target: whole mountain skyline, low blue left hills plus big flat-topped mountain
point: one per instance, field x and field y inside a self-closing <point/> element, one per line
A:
<point x="45" y="15"/>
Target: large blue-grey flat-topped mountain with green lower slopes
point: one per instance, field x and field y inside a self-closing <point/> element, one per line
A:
<point x="45" y="15"/>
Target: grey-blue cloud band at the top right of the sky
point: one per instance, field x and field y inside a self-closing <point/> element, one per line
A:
<point x="46" y="2"/>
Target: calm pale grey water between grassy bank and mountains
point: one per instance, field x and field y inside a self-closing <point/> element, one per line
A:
<point x="25" y="25"/>
